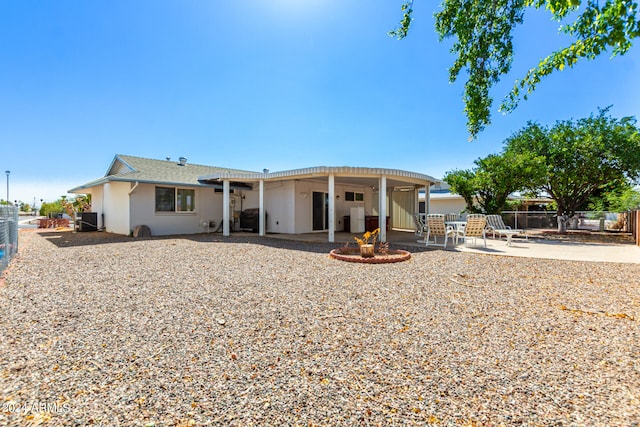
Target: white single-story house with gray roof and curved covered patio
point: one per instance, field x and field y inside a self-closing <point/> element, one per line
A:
<point x="182" y="198"/>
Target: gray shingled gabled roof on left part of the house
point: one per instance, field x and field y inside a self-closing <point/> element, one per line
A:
<point x="125" y="168"/>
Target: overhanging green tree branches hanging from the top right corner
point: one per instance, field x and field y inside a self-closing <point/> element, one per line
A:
<point x="483" y="46"/>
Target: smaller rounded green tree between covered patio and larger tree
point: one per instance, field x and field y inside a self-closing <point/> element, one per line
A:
<point x="487" y="187"/>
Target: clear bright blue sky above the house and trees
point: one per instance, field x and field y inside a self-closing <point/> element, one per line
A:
<point x="278" y="84"/>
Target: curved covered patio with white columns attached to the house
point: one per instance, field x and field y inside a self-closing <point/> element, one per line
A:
<point x="315" y="200"/>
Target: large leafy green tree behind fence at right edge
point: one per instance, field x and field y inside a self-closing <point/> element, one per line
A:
<point x="581" y="157"/>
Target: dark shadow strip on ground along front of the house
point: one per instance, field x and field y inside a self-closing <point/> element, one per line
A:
<point x="66" y="239"/>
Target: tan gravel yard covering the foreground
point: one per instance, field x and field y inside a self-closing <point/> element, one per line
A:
<point x="98" y="329"/>
